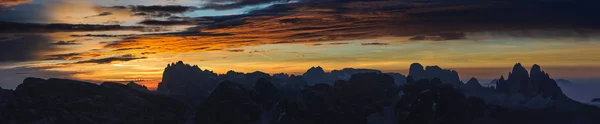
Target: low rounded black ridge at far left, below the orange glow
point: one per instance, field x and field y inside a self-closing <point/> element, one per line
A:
<point x="68" y="101"/>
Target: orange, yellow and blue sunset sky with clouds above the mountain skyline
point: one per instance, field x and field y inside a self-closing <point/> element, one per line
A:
<point x="478" y="38"/>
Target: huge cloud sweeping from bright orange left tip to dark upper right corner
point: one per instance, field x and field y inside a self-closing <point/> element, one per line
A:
<point x="309" y="22"/>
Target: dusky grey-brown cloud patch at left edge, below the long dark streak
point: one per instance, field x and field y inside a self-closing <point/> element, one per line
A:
<point x="24" y="47"/>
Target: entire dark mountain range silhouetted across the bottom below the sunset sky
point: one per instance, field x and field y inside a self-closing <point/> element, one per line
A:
<point x="349" y="96"/>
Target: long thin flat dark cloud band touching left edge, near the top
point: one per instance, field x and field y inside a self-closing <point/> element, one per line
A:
<point x="14" y="27"/>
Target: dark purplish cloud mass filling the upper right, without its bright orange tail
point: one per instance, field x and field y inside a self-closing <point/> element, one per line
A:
<point x="316" y="20"/>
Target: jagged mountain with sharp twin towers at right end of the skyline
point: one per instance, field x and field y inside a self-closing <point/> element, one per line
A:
<point x="532" y="90"/>
